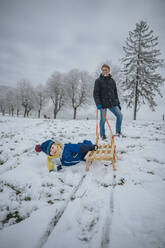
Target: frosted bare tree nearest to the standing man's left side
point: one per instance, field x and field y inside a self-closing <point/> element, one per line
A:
<point x="77" y="88"/>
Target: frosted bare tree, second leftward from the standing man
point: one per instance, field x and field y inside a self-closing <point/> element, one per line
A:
<point x="56" y="91"/>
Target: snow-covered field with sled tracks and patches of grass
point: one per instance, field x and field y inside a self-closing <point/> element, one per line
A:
<point x="74" y="208"/>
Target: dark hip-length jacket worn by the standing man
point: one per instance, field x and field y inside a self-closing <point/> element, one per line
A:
<point x="105" y="92"/>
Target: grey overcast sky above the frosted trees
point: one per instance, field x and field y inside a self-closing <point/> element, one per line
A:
<point x="38" y="37"/>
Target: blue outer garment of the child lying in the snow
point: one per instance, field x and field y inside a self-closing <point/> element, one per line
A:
<point x="73" y="153"/>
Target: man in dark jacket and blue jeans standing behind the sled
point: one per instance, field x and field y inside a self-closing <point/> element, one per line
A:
<point x="106" y="97"/>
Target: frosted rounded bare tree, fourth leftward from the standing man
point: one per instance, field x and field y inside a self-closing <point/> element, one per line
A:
<point x="27" y="96"/>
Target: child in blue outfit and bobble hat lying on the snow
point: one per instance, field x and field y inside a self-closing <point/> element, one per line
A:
<point x="69" y="155"/>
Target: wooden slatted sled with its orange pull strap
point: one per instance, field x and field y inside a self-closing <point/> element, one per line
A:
<point x="105" y="151"/>
